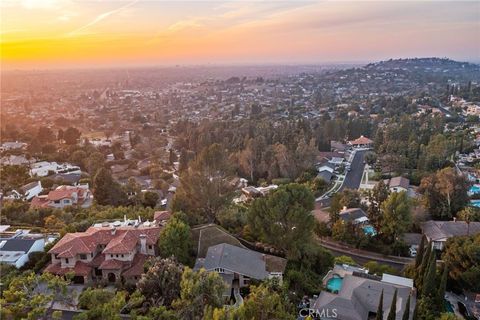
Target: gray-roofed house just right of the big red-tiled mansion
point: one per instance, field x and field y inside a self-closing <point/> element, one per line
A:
<point x="237" y="266"/>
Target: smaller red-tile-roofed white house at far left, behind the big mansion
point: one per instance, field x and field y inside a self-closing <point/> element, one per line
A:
<point x="64" y="196"/>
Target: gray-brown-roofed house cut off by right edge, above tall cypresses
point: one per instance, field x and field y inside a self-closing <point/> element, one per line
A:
<point x="439" y="232"/>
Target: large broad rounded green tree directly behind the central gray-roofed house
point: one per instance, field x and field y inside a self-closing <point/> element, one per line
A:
<point x="283" y="218"/>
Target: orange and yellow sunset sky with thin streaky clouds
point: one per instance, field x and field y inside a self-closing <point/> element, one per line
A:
<point x="88" y="33"/>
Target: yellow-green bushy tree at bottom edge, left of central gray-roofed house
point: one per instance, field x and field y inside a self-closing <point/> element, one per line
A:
<point x="199" y="289"/>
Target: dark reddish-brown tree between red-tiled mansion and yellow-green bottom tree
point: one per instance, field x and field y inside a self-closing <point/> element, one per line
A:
<point x="160" y="285"/>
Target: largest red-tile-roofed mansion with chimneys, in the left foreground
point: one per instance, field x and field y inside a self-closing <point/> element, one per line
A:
<point x="104" y="253"/>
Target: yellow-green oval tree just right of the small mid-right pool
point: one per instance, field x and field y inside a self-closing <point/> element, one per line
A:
<point x="396" y="215"/>
